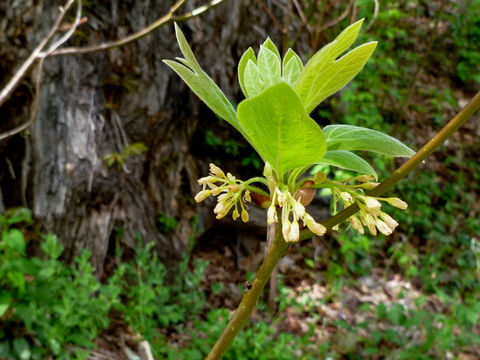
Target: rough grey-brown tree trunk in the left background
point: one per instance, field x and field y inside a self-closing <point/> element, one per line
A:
<point x="96" y="104"/>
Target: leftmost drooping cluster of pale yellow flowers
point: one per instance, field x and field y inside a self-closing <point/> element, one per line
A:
<point x="230" y="192"/>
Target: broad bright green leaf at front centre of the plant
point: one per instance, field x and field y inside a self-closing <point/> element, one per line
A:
<point x="280" y="129"/>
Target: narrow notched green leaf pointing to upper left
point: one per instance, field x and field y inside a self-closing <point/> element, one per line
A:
<point x="201" y="84"/>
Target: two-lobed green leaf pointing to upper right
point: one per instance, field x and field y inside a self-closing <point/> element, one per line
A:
<point x="324" y="75"/>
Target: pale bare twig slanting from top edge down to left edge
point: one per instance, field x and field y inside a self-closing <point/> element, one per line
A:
<point x="21" y="72"/>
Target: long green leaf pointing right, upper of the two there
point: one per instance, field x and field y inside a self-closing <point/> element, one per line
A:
<point x="348" y="137"/>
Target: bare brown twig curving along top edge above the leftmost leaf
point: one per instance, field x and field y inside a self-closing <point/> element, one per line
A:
<point x="168" y="18"/>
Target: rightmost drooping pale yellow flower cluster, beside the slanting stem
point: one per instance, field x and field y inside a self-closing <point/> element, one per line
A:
<point x="370" y="214"/>
